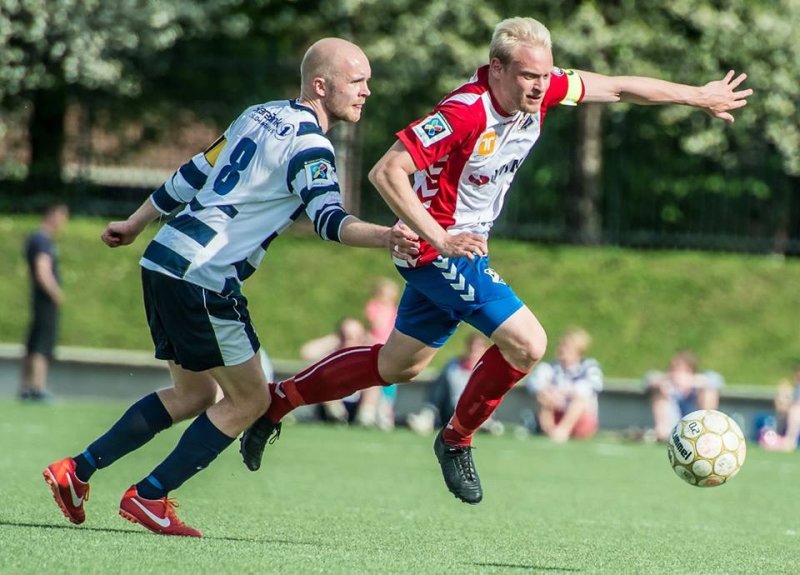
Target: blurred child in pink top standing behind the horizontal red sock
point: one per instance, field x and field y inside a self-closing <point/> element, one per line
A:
<point x="377" y="403"/>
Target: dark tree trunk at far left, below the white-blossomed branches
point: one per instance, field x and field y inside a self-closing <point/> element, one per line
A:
<point x="46" y="132"/>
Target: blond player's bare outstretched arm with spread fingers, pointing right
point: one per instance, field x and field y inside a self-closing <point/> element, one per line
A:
<point x="718" y="98"/>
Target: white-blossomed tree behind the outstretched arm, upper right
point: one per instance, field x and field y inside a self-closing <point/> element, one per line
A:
<point x="688" y="41"/>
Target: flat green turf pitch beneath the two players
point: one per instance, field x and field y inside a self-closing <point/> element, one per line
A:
<point x="335" y="500"/>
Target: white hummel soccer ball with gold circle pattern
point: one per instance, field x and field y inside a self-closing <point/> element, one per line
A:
<point x="706" y="448"/>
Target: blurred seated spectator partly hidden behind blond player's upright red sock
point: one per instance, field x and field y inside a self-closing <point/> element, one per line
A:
<point x="445" y="390"/>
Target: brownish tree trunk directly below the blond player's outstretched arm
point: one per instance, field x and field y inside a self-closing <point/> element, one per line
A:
<point x="584" y="222"/>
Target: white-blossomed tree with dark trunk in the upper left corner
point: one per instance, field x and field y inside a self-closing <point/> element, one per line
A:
<point x="52" y="49"/>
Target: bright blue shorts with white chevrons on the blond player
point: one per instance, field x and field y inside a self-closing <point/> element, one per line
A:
<point x="440" y="295"/>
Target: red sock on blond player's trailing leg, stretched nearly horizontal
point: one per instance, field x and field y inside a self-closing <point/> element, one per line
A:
<point x="338" y="375"/>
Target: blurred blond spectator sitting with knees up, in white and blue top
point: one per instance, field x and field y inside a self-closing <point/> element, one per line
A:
<point x="566" y="390"/>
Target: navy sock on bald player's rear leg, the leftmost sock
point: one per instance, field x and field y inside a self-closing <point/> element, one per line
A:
<point x="136" y="427"/>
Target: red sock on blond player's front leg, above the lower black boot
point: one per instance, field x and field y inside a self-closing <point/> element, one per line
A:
<point x="491" y="379"/>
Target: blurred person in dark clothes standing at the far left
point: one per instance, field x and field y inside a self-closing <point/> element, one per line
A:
<point x="46" y="298"/>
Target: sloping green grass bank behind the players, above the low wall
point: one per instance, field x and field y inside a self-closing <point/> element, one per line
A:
<point x="737" y="312"/>
